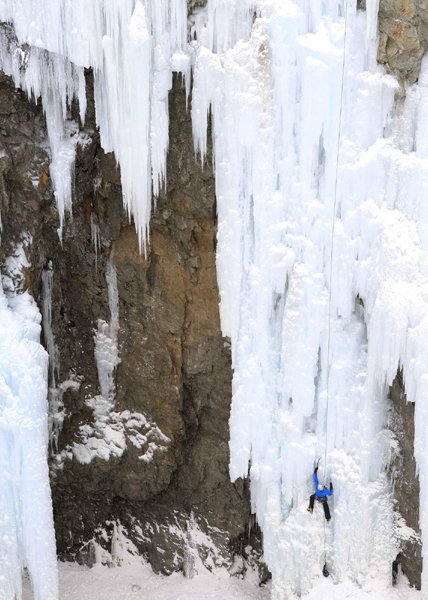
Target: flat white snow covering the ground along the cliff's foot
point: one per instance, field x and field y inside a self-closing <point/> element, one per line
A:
<point x="136" y="581"/>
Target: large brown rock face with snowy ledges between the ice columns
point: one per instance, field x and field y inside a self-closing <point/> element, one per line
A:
<point x="155" y="458"/>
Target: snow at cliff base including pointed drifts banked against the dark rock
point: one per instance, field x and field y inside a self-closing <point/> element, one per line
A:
<point x="123" y="575"/>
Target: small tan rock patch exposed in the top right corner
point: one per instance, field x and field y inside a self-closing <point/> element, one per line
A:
<point x="403" y="37"/>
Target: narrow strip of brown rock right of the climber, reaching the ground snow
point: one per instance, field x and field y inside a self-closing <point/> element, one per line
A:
<point x="406" y="482"/>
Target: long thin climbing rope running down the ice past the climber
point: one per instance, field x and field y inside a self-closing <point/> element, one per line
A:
<point x="325" y="571"/>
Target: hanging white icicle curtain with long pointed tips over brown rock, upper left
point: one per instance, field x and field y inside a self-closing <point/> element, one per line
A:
<point x="133" y="46"/>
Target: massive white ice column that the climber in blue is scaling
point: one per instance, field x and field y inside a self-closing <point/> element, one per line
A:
<point x="276" y="104"/>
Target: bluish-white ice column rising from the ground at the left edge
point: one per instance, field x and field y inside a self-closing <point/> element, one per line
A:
<point x="27" y="538"/>
